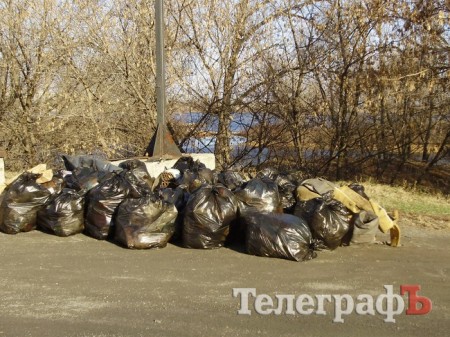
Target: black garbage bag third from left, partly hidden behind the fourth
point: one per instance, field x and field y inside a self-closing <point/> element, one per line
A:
<point x="103" y="200"/>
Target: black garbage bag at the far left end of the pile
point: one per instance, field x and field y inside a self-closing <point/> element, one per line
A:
<point x="21" y="202"/>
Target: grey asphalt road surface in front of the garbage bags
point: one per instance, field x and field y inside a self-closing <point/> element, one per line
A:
<point x="78" y="286"/>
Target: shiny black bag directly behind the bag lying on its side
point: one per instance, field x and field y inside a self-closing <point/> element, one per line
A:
<point x="260" y="195"/>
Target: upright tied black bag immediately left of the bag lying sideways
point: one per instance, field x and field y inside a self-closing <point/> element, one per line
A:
<point x="208" y="215"/>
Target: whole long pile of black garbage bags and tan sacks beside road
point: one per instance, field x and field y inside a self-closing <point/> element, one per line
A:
<point x="271" y="214"/>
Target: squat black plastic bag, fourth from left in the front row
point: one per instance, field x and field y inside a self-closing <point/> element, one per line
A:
<point x="145" y="223"/>
